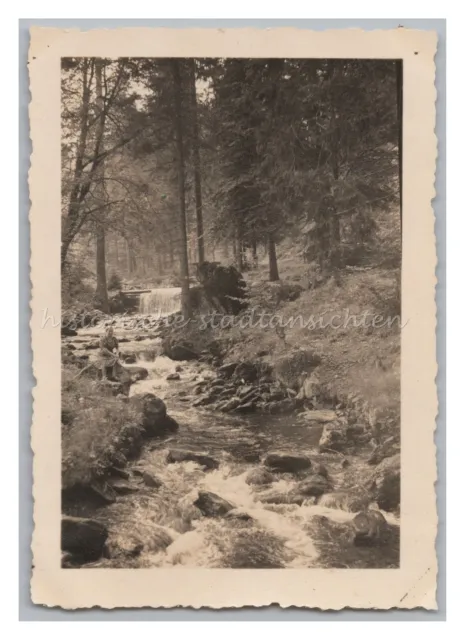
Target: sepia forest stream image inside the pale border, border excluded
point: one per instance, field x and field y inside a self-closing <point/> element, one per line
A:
<point x="231" y="312"/>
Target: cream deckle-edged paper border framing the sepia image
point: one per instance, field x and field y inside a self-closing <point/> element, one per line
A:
<point x="414" y="584"/>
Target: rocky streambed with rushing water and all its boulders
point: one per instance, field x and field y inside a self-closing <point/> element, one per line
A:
<point x="236" y="469"/>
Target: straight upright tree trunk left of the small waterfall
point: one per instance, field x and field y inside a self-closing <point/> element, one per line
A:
<point x="101" y="292"/>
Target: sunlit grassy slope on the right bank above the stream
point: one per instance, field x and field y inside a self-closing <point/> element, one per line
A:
<point x="359" y="358"/>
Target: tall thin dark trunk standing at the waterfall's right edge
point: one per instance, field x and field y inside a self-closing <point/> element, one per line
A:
<point x="178" y="126"/>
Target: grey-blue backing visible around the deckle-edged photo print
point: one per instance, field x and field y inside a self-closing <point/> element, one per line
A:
<point x="30" y="612"/>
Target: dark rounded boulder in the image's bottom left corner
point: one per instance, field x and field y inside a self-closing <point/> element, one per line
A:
<point x="83" y="538"/>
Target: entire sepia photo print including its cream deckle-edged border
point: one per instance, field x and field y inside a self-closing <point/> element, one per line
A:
<point x="233" y="322"/>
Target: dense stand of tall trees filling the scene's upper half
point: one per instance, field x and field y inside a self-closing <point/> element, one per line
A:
<point x="167" y="163"/>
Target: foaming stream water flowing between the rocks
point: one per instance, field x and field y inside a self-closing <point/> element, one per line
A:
<point x="165" y="527"/>
